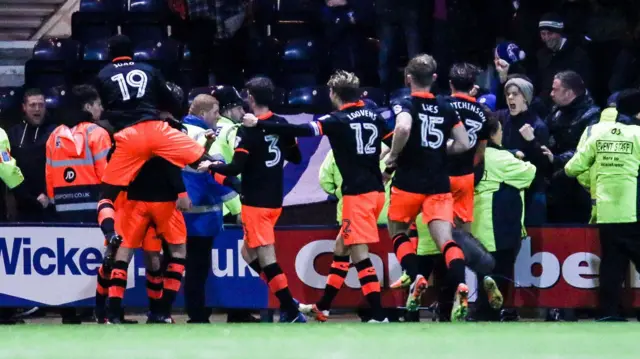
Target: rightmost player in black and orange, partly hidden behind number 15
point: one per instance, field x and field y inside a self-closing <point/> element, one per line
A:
<point x="461" y="167"/>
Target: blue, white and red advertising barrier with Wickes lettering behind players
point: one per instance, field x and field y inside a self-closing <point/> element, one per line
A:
<point x="56" y="265"/>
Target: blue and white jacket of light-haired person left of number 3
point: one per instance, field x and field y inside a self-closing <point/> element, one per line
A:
<point x="207" y="196"/>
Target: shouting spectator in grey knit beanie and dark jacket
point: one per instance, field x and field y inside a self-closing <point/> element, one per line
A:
<point x="524" y="134"/>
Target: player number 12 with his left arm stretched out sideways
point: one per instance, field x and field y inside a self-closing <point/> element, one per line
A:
<point x="355" y="133"/>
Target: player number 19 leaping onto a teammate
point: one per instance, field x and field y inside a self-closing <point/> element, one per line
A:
<point x="133" y="95"/>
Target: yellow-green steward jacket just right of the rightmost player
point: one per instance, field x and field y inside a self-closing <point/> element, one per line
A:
<point x="501" y="192"/>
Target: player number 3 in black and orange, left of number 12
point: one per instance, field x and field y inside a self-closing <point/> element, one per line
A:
<point x="259" y="157"/>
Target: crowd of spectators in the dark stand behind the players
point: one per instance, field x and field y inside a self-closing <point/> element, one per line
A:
<point x="547" y="69"/>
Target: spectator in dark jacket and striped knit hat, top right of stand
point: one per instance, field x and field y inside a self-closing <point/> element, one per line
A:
<point x="558" y="54"/>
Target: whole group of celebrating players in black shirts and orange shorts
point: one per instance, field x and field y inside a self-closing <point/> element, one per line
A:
<point x="429" y="144"/>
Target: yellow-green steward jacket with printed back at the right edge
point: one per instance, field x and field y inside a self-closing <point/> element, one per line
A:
<point x="614" y="152"/>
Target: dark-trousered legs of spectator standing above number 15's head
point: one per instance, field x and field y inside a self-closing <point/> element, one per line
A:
<point x="393" y="15"/>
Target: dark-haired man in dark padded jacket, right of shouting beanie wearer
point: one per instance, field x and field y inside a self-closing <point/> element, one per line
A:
<point x="573" y="111"/>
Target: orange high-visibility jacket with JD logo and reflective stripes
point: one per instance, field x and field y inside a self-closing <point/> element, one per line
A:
<point x="76" y="160"/>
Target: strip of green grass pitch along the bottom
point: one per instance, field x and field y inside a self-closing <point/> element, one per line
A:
<point x="584" y="340"/>
